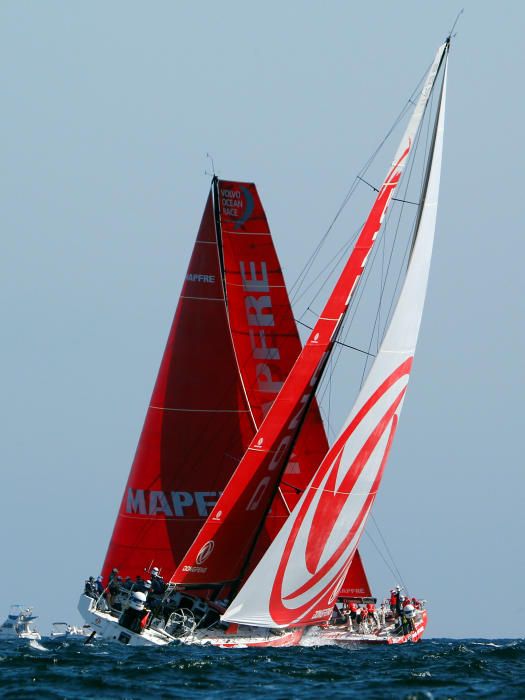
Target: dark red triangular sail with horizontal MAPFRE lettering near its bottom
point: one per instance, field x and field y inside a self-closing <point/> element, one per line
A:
<point x="196" y="428"/>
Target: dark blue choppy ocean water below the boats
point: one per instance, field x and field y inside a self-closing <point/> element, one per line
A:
<point x="435" y="668"/>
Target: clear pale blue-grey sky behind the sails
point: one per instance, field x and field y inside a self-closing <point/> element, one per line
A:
<point x="108" y="112"/>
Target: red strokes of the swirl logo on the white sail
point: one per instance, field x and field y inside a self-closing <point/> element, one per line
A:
<point x="328" y="509"/>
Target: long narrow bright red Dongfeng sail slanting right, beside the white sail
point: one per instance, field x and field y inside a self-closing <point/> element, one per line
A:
<point x="222" y="546"/>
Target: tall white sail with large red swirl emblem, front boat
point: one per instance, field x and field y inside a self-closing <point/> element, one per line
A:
<point x="298" y="579"/>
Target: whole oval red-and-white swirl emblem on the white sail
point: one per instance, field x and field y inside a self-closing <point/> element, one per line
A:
<point x="326" y="531"/>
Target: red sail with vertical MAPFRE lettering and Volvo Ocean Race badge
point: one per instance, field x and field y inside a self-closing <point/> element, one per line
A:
<point x="264" y="336"/>
